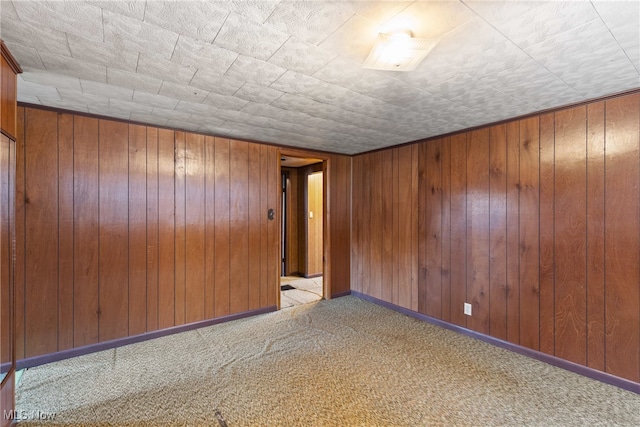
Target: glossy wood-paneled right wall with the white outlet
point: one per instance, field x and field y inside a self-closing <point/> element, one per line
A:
<point x="535" y="222"/>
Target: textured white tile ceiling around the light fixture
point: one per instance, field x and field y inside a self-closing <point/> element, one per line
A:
<point x="289" y="72"/>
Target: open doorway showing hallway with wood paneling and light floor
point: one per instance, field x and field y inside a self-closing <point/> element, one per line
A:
<point x="302" y="245"/>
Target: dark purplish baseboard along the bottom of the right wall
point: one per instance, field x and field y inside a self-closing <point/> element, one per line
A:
<point x="534" y="354"/>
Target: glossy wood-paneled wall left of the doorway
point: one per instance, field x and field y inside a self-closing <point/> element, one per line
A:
<point x="124" y="229"/>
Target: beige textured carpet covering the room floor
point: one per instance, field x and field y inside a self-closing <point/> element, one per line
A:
<point x="343" y="362"/>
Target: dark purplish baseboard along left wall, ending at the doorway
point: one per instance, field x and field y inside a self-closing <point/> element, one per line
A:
<point x="92" y="348"/>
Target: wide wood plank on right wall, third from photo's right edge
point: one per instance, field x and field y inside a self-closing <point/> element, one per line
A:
<point x="570" y="234"/>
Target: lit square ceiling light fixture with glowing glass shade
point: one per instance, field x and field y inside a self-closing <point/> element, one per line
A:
<point x="398" y="51"/>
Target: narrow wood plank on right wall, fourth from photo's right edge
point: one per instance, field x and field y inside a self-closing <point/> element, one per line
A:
<point x="547" y="254"/>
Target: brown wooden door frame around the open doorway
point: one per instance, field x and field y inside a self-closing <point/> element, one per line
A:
<point x="326" y="214"/>
